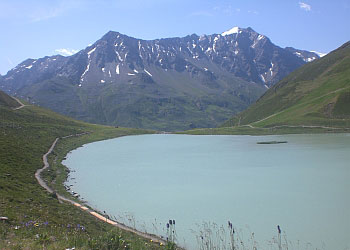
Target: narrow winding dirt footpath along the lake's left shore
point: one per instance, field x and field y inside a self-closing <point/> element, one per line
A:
<point x="42" y="183"/>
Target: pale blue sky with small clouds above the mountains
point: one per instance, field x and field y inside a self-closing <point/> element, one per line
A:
<point x="37" y="28"/>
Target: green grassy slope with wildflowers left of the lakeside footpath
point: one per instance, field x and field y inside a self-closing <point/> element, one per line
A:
<point x="37" y="219"/>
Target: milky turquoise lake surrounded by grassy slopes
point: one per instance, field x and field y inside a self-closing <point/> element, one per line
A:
<point x="143" y="181"/>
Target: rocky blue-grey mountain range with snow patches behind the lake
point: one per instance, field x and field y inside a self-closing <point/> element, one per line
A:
<point x="167" y="84"/>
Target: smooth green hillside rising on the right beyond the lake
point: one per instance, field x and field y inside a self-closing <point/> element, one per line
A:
<point x="317" y="94"/>
